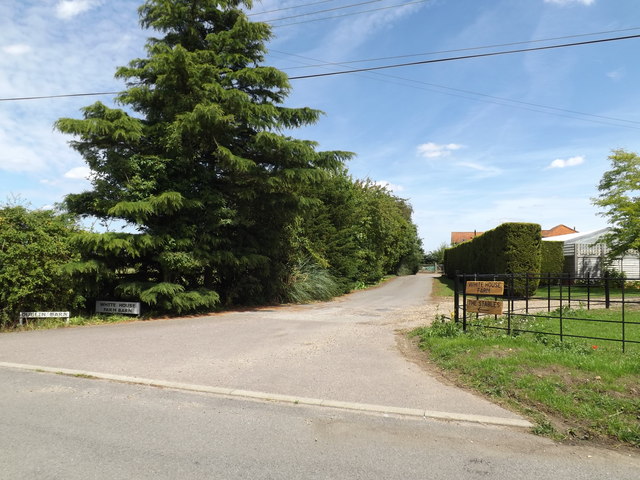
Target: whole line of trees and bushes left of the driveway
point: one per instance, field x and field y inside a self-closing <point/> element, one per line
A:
<point x="221" y="206"/>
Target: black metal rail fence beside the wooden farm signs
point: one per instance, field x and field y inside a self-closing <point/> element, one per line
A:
<point x="560" y="301"/>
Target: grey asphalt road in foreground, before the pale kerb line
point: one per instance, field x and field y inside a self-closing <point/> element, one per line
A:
<point x="66" y="428"/>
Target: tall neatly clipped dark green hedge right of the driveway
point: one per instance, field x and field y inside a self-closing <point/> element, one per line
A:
<point x="508" y="248"/>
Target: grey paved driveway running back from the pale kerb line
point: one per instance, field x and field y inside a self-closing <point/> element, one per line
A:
<point x="343" y="350"/>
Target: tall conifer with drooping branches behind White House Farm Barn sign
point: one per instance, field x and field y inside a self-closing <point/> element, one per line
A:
<point x="197" y="162"/>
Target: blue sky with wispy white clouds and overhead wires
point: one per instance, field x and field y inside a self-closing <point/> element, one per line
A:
<point x="470" y="143"/>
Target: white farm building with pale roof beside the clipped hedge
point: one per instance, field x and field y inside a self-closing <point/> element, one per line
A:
<point x="583" y="255"/>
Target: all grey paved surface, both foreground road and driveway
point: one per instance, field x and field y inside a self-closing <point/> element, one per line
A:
<point x="62" y="427"/>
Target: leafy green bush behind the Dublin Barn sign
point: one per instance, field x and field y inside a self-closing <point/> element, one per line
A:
<point x="34" y="245"/>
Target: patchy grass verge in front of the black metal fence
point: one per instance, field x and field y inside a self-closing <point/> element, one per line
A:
<point x="569" y="389"/>
